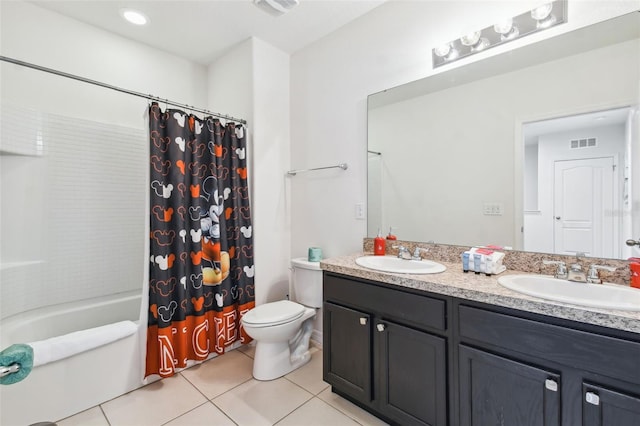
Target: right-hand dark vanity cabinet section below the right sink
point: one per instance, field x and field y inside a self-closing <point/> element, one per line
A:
<point x="523" y="364"/>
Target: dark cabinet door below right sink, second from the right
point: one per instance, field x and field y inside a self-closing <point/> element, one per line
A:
<point x="499" y="391"/>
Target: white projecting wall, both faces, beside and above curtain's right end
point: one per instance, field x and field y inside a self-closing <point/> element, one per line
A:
<point x="252" y="79"/>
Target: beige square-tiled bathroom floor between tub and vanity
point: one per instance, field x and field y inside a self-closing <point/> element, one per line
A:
<point x="222" y="392"/>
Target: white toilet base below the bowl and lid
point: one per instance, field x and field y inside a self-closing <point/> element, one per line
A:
<point x="275" y="359"/>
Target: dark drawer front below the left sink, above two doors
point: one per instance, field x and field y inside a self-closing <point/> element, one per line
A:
<point x="406" y="308"/>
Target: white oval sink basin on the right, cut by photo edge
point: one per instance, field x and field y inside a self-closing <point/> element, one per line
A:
<point x="608" y="296"/>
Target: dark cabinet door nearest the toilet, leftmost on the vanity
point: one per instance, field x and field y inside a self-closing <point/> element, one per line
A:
<point x="347" y="351"/>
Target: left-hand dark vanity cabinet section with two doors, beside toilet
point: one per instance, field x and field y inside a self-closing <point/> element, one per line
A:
<point x="377" y="358"/>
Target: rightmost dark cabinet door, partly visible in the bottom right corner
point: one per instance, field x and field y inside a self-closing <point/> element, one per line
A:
<point x="605" y="407"/>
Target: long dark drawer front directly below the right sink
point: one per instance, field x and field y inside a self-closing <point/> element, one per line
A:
<point x="616" y="358"/>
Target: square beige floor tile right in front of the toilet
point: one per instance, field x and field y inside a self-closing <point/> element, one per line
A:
<point x="258" y="403"/>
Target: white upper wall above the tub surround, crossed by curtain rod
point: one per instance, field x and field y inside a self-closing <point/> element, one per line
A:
<point x="36" y="35"/>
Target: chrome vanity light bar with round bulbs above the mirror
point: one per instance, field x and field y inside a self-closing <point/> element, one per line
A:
<point x="541" y="18"/>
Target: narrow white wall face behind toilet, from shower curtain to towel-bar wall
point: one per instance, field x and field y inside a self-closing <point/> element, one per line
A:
<point x="271" y="149"/>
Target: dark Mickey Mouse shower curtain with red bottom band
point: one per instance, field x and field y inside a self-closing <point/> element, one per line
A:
<point x="201" y="239"/>
